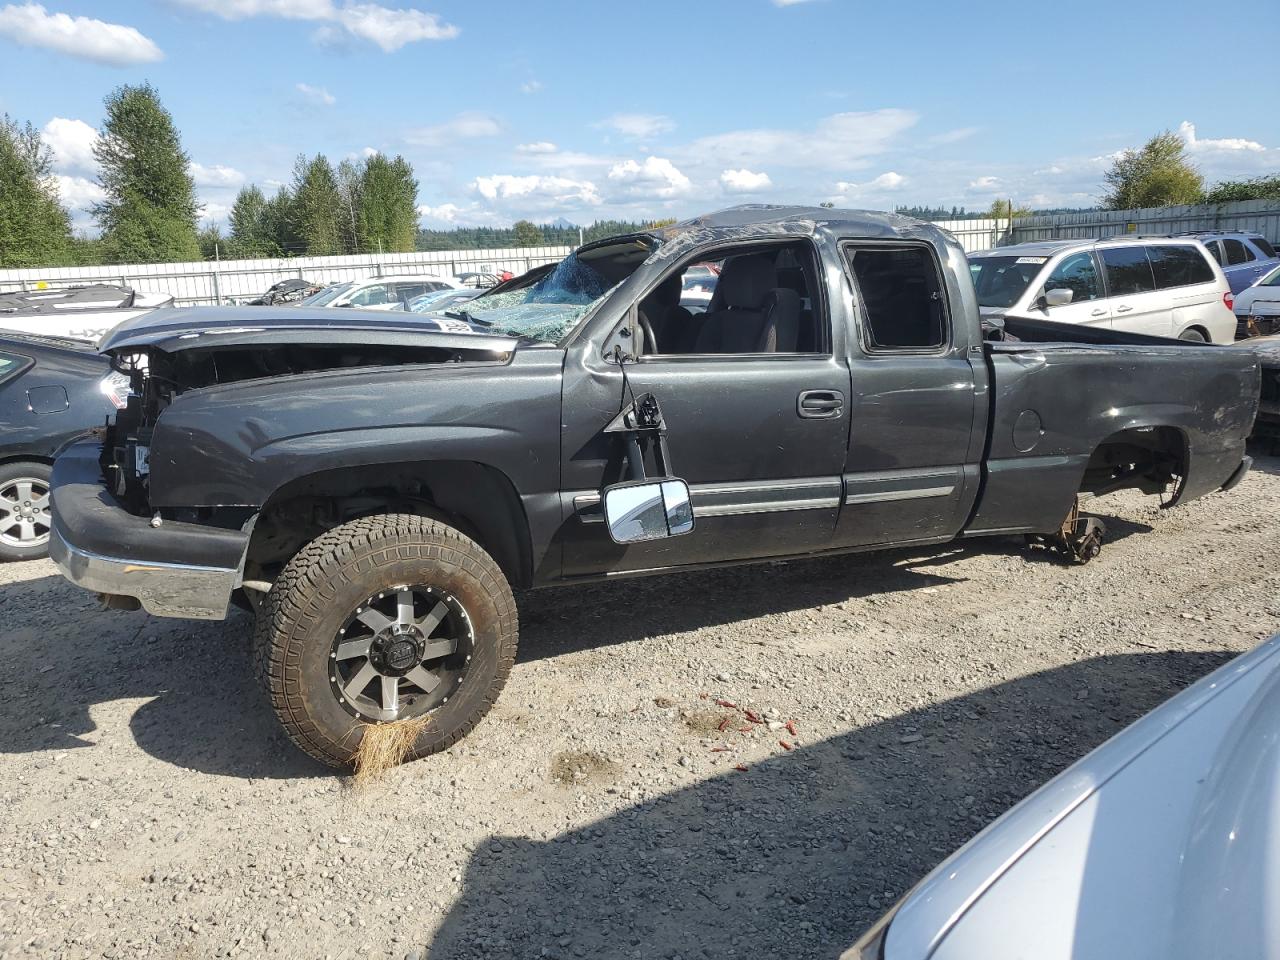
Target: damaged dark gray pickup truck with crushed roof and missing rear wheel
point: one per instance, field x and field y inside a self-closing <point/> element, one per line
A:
<point x="374" y="486"/>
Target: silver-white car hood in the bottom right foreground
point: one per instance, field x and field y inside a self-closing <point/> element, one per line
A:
<point x="1164" y="843"/>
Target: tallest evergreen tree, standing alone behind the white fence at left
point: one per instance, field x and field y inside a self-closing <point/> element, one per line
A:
<point x="150" y="209"/>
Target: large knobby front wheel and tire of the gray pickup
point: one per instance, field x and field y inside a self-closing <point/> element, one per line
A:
<point x="382" y="620"/>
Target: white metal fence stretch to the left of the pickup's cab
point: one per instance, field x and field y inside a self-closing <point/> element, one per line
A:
<point x="237" y="281"/>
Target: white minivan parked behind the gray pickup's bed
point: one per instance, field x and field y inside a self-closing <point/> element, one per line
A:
<point x="1164" y="287"/>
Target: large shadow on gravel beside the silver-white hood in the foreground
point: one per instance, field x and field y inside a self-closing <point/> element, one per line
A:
<point x="798" y="856"/>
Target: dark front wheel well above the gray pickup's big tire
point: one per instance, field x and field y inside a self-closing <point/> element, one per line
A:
<point x="474" y="499"/>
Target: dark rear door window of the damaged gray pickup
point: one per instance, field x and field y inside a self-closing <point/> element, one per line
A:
<point x="900" y="296"/>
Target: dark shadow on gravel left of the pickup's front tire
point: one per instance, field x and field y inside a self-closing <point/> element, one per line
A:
<point x="204" y="708"/>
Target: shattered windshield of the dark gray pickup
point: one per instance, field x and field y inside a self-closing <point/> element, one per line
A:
<point x="552" y="308"/>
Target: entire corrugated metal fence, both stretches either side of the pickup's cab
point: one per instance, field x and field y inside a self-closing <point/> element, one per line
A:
<point x="235" y="281"/>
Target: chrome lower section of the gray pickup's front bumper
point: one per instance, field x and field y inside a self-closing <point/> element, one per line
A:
<point x="163" y="589"/>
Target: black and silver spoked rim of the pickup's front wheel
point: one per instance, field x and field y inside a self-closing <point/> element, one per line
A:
<point x="401" y="653"/>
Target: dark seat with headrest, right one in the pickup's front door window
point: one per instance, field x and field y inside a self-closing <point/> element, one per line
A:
<point x="751" y="313"/>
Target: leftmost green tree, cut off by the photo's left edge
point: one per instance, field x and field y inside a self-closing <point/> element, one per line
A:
<point x="35" y="230"/>
